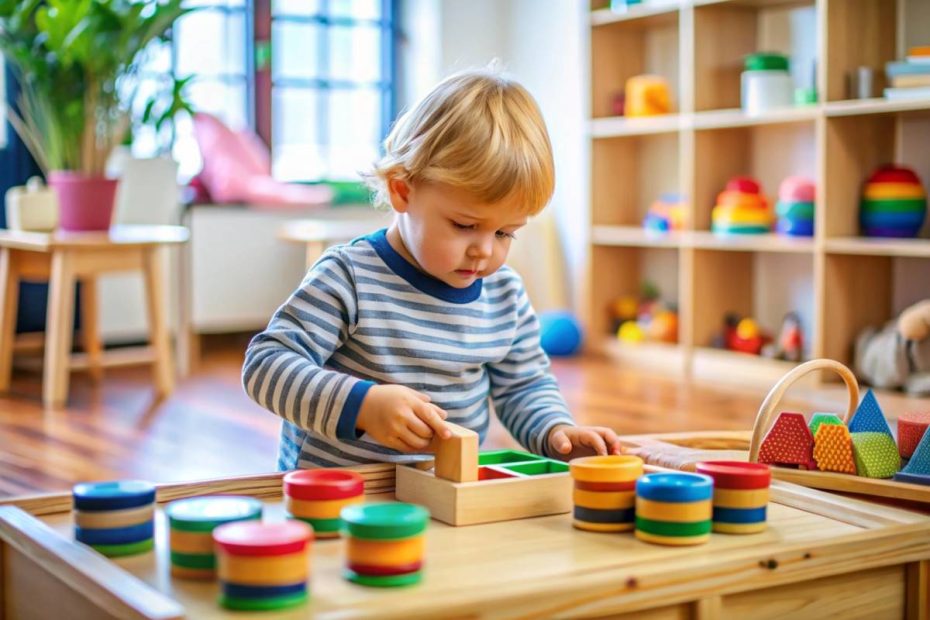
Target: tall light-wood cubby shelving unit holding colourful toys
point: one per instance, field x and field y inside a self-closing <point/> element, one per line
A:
<point x="838" y="282"/>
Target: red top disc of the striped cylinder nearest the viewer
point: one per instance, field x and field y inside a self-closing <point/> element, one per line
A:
<point x="256" y="538"/>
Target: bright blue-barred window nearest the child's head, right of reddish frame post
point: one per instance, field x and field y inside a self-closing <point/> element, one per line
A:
<point x="331" y="81"/>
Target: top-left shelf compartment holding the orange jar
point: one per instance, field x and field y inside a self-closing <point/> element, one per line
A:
<point x="622" y="49"/>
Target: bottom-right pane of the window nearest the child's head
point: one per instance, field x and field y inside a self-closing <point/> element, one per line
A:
<point x="355" y="131"/>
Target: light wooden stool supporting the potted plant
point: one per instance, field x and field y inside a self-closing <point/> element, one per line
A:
<point x="65" y="258"/>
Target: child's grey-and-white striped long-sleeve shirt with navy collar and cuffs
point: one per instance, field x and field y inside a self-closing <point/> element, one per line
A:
<point x="363" y="316"/>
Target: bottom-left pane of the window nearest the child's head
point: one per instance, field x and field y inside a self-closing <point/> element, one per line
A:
<point x="297" y="149"/>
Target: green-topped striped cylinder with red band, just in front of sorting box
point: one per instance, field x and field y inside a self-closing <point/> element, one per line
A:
<point x="385" y="544"/>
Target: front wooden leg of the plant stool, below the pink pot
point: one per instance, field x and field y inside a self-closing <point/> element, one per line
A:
<point x="59" y="327"/>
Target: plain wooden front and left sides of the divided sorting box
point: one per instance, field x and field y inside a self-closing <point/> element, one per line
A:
<point x="468" y="503"/>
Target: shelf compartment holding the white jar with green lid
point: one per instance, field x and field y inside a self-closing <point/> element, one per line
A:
<point x="726" y="32"/>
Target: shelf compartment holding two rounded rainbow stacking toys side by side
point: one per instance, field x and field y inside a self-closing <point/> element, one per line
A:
<point x="768" y="153"/>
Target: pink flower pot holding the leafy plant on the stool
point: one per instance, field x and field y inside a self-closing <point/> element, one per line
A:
<point x="85" y="203"/>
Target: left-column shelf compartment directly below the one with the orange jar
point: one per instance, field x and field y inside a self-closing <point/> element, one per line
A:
<point x="628" y="174"/>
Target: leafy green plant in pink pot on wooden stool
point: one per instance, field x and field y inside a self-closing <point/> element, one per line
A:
<point x="71" y="57"/>
